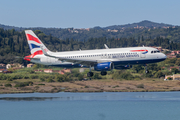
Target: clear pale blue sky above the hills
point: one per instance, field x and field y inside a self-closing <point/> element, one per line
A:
<point x="87" y="13"/>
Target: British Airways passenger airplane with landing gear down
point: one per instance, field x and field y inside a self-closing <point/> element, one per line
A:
<point x="102" y="60"/>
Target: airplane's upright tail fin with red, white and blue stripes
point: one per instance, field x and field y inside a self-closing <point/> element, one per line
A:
<point x="34" y="43"/>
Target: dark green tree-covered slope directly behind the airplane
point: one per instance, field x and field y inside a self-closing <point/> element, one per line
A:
<point x="13" y="43"/>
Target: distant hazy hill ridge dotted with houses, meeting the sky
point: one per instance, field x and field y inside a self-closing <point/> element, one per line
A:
<point x="144" y="28"/>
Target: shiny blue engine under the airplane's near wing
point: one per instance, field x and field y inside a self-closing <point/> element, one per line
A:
<point x="105" y="66"/>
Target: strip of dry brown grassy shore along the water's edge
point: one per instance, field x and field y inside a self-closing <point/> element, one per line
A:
<point x="145" y="85"/>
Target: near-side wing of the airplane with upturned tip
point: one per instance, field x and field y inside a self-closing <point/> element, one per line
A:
<point x="75" y="61"/>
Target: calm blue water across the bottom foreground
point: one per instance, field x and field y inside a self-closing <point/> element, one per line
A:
<point x="91" y="106"/>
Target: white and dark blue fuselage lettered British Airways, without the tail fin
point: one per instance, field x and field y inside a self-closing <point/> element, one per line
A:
<point x="118" y="56"/>
